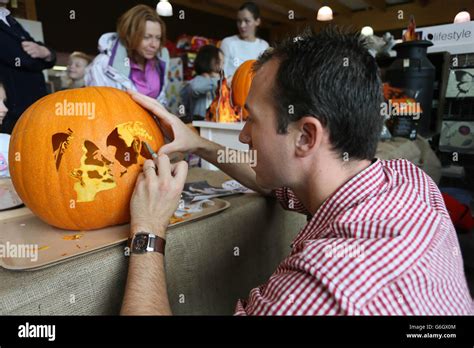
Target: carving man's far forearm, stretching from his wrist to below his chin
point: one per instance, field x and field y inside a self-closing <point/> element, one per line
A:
<point x="242" y="172"/>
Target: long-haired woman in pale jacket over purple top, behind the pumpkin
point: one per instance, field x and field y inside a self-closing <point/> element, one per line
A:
<point x="134" y="57"/>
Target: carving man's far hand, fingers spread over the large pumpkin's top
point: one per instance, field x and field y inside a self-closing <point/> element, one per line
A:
<point x="183" y="138"/>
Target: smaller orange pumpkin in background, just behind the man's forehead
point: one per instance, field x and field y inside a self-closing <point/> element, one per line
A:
<point x="241" y="83"/>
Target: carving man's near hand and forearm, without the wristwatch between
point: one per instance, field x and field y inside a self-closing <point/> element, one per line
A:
<point x="153" y="202"/>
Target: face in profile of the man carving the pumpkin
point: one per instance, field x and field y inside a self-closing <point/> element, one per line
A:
<point x="274" y="151"/>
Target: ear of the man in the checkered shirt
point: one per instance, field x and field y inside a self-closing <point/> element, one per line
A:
<point x="309" y="134"/>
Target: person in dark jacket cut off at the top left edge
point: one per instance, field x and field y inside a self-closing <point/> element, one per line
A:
<point x="22" y="61"/>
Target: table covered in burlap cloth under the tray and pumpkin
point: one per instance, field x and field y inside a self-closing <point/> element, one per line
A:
<point x="210" y="263"/>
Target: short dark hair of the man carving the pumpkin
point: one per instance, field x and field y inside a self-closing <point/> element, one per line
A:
<point x="329" y="75"/>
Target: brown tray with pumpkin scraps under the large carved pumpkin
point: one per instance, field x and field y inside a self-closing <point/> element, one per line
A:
<point x="22" y="227"/>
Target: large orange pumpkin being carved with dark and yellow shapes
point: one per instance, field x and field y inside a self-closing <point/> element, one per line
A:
<point x="75" y="156"/>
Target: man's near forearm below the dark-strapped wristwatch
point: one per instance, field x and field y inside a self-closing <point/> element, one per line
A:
<point x="146" y="292"/>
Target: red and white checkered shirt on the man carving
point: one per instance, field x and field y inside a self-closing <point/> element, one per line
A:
<point x="383" y="244"/>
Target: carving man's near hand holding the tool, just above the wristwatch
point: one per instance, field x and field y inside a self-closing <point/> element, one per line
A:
<point x="156" y="196"/>
